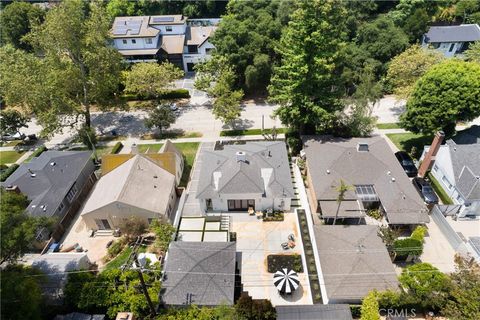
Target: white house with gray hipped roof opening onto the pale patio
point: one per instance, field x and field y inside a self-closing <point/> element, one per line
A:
<point x="253" y="175"/>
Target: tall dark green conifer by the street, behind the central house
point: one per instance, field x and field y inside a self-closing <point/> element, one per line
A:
<point x="305" y="84"/>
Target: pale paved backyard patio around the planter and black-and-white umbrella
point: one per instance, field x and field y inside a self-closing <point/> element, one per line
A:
<point x="255" y="241"/>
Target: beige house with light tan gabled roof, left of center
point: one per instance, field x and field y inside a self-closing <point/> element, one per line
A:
<point x="138" y="187"/>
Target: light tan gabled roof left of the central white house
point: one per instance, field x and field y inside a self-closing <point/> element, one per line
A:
<point x="139" y="182"/>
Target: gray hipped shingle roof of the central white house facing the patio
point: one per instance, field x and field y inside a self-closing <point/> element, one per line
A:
<point x="239" y="177"/>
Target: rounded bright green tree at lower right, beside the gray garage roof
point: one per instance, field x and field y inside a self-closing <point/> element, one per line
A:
<point x="430" y="287"/>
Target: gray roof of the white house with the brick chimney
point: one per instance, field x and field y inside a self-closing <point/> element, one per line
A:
<point x="466" y="168"/>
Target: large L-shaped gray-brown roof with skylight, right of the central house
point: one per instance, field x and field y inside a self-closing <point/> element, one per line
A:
<point x="331" y="159"/>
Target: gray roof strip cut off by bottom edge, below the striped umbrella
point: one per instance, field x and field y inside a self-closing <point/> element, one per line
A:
<point x="314" y="312"/>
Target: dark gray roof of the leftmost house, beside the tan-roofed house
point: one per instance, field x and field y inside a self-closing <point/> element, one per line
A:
<point x="46" y="179"/>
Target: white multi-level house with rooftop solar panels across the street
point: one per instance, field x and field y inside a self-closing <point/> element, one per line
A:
<point x="157" y="38"/>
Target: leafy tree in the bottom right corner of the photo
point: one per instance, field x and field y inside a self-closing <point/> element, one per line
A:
<point x="464" y="302"/>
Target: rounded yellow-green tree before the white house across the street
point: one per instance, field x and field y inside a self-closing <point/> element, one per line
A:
<point x="150" y="80"/>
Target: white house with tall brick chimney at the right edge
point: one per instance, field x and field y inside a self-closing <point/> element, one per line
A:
<point x="456" y="167"/>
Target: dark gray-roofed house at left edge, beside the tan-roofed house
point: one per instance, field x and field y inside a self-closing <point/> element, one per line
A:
<point x="56" y="183"/>
